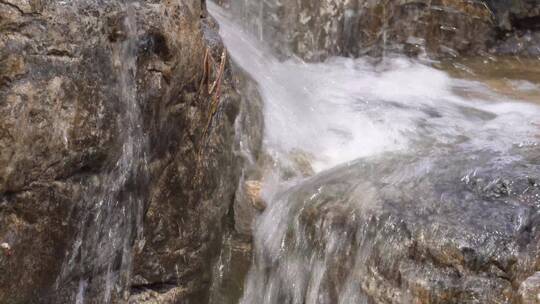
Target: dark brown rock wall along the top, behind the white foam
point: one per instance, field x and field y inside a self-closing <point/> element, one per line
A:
<point x="315" y="30"/>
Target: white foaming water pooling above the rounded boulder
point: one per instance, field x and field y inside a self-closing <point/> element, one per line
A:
<point x="343" y="109"/>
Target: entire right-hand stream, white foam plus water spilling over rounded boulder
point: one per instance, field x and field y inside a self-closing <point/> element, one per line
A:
<point x="426" y="186"/>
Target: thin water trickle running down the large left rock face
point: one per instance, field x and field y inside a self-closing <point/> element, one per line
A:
<point x="110" y="217"/>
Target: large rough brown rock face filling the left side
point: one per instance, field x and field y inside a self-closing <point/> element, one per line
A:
<point x="66" y="94"/>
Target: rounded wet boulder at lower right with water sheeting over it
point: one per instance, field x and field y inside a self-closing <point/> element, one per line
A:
<point x="441" y="228"/>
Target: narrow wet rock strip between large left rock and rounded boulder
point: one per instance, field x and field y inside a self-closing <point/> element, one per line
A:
<point x="232" y="265"/>
